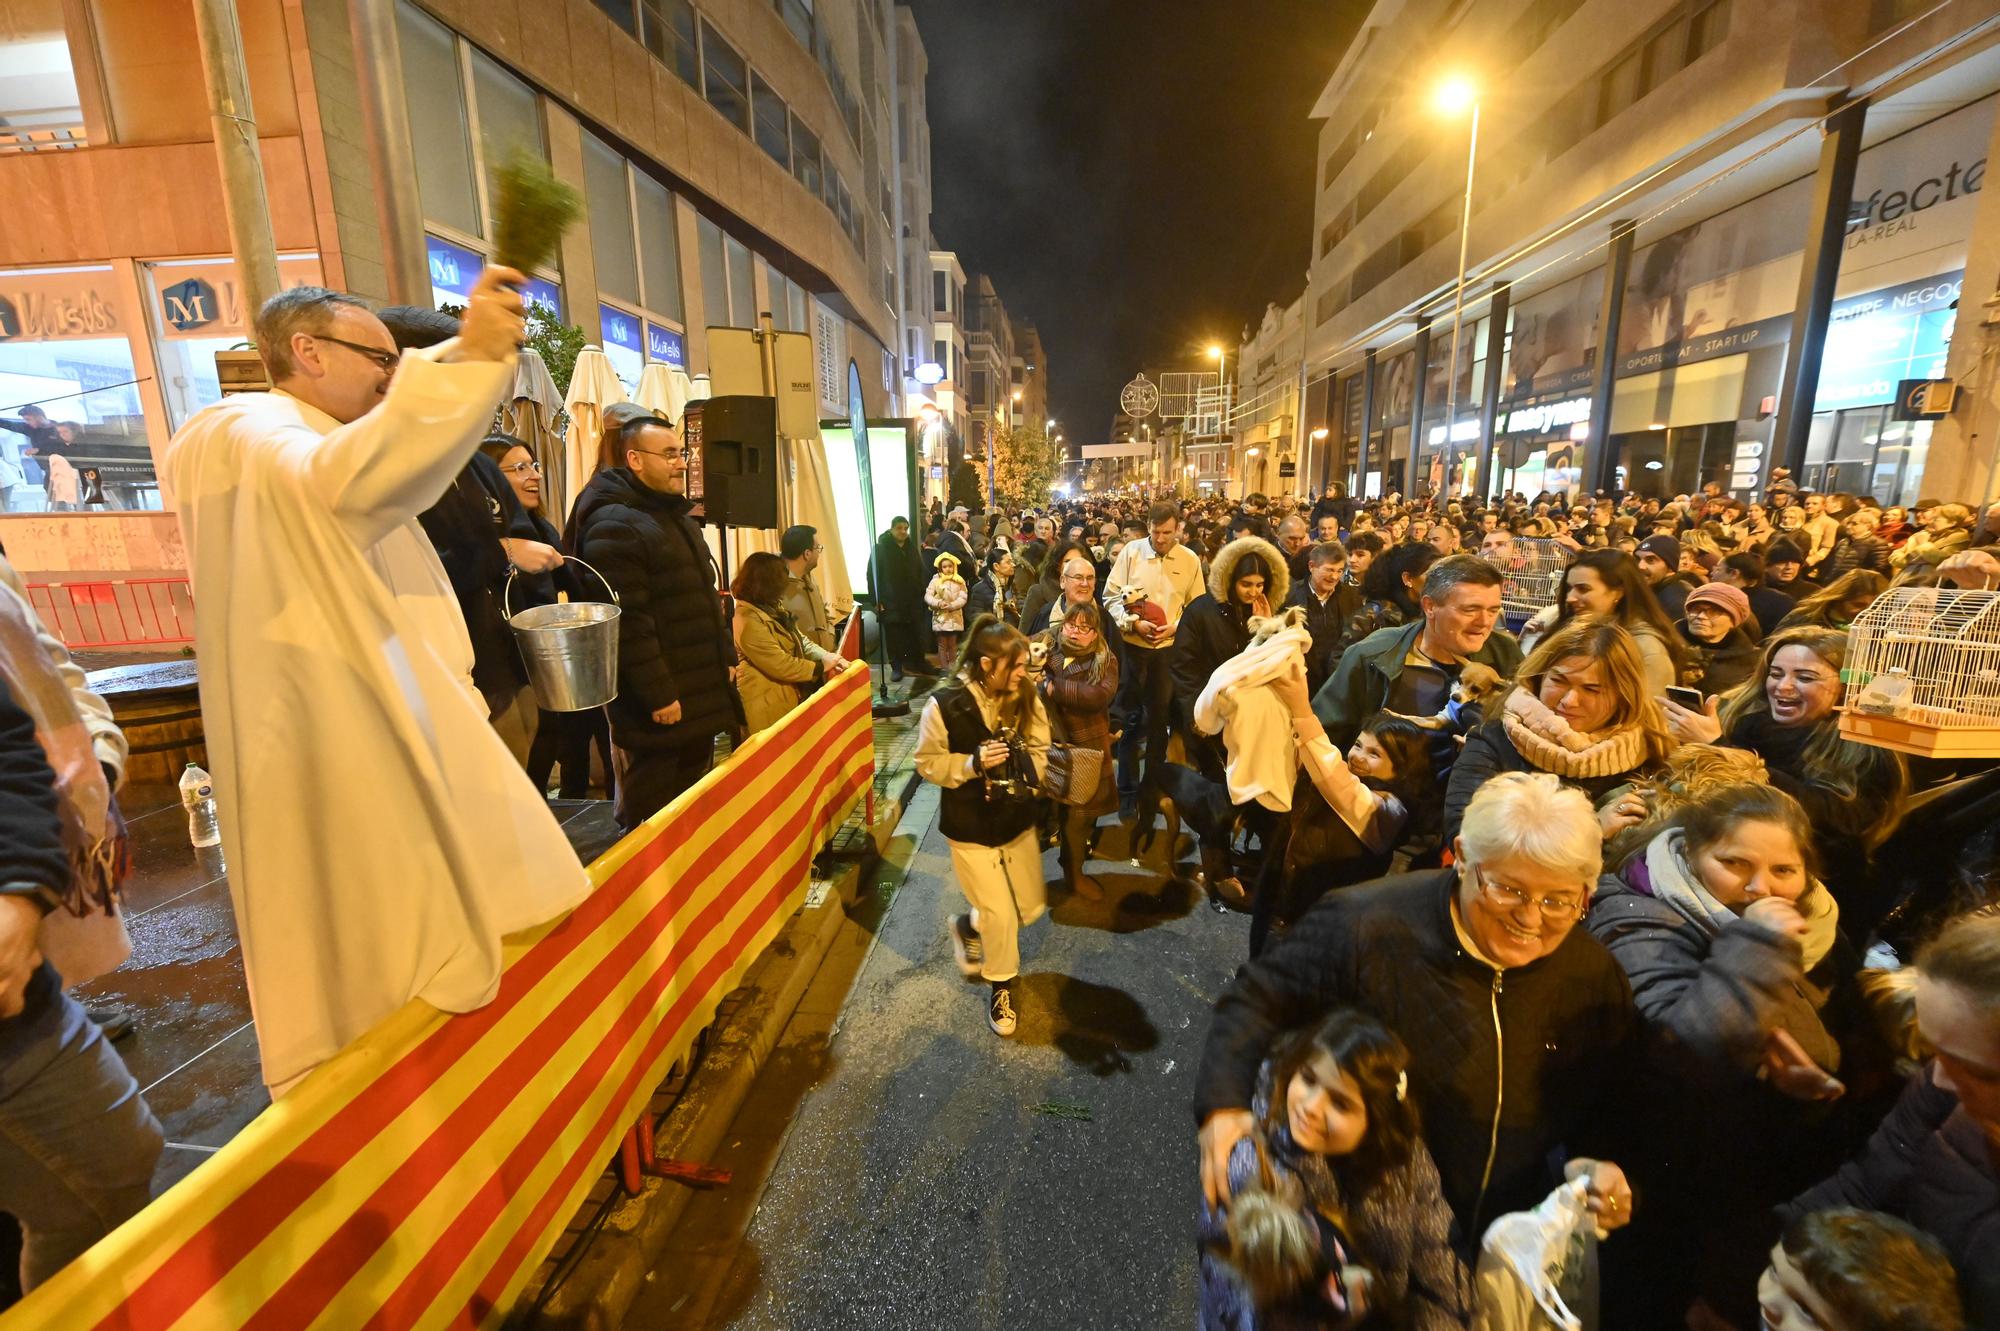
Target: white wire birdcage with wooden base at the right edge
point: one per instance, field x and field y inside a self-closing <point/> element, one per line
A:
<point x="1923" y="674"/>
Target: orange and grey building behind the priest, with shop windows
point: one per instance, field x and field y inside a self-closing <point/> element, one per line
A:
<point x="737" y="157"/>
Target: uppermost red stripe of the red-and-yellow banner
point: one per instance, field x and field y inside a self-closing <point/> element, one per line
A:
<point x="215" y="1250"/>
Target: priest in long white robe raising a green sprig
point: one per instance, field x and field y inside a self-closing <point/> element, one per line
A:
<point x="381" y="840"/>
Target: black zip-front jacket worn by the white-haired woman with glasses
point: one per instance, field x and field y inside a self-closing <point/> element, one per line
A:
<point x="1563" y="1048"/>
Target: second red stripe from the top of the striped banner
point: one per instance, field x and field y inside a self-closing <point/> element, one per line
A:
<point x="307" y="1292"/>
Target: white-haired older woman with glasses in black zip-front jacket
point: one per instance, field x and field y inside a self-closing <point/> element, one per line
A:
<point x="1519" y="1024"/>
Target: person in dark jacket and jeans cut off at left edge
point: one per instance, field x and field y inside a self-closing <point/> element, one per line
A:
<point x="77" y="1140"/>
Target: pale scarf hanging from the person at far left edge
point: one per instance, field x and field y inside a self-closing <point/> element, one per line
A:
<point x="85" y="936"/>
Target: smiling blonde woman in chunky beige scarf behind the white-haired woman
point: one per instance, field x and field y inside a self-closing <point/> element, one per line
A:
<point x="1581" y="710"/>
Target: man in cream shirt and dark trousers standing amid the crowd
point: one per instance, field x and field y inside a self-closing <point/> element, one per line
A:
<point x="1171" y="577"/>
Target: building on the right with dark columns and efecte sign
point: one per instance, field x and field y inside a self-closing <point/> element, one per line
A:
<point x="1661" y="283"/>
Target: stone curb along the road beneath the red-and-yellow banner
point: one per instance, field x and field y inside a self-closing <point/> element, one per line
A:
<point x="747" y="1030"/>
